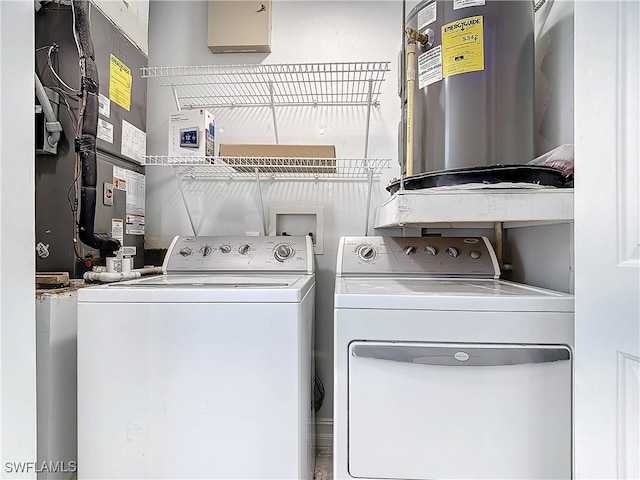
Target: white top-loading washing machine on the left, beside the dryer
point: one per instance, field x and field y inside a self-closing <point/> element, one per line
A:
<point x="203" y="372"/>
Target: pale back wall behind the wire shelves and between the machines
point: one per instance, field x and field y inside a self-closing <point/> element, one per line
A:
<point x="316" y="31"/>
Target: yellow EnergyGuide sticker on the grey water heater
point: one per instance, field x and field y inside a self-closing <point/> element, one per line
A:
<point x="462" y="46"/>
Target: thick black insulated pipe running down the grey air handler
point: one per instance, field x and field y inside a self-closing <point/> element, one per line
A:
<point x="88" y="121"/>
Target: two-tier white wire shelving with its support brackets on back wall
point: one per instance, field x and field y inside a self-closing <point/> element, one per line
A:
<point x="274" y="86"/>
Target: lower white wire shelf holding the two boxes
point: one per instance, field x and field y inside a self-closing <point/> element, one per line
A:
<point x="281" y="167"/>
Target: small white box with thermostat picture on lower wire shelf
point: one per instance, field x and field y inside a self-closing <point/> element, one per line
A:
<point x="191" y="133"/>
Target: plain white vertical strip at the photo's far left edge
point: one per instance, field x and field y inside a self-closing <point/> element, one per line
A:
<point x="17" y="291"/>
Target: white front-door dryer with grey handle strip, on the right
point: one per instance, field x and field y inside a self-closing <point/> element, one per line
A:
<point x="443" y="371"/>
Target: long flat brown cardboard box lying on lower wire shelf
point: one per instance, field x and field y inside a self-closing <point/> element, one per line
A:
<point x="280" y="158"/>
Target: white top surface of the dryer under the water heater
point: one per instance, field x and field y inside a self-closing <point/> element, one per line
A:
<point x="454" y="294"/>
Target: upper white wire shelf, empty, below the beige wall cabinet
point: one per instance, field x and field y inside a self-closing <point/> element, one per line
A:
<point x="304" y="84"/>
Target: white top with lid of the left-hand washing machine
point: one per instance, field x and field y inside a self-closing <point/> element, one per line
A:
<point x="204" y="288"/>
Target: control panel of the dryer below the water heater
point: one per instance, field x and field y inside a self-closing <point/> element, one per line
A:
<point x="472" y="257"/>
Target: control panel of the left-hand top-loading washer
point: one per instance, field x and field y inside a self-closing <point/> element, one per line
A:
<point x="205" y="254"/>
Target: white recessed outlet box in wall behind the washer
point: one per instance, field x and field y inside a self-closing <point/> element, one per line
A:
<point x="298" y="221"/>
